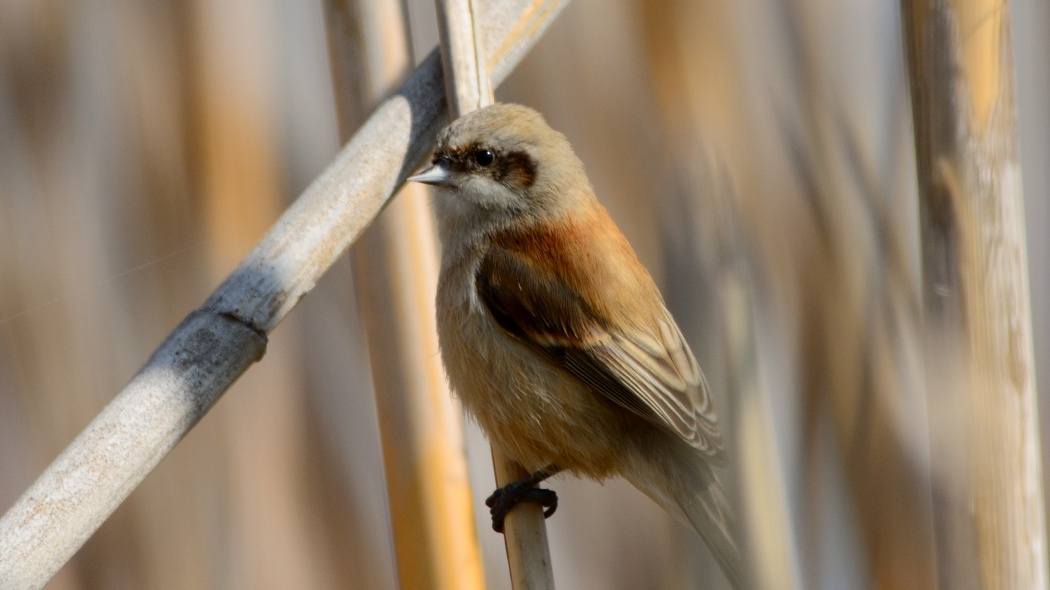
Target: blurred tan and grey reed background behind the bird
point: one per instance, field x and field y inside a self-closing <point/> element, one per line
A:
<point x="145" y="147"/>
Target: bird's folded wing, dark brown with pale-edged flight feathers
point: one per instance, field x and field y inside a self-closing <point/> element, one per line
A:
<point x="649" y="372"/>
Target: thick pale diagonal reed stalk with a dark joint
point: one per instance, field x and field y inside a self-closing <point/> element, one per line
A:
<point x="218" y="343"/>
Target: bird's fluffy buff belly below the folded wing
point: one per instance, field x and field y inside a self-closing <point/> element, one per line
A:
<point x="533" y="411"/>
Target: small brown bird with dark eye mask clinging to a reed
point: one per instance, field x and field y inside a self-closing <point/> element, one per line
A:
<point x="556" y="339"/>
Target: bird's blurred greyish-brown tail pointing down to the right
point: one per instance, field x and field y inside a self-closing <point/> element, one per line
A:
<point x="687" y="487"/>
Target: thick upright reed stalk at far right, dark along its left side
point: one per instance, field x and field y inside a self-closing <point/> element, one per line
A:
<point x="980" y="374"/>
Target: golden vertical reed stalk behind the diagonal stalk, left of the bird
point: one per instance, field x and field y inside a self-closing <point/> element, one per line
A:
<point x="395" y="264"/>
